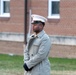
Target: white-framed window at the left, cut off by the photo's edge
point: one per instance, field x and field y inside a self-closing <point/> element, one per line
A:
<point x="4" y="8"/>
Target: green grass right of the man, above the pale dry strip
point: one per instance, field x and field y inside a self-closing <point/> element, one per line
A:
<point x="63" y="64"/>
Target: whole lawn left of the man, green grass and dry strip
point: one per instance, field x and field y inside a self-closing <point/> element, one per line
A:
<point x="11" y="65"/>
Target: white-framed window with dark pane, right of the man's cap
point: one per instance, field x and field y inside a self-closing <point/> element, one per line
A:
<point x="53" y="9"/>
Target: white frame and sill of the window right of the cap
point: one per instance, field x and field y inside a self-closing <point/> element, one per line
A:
<point x="50" y="16"/>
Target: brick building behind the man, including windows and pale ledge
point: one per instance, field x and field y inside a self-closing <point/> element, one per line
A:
<point x="60" y="25"/>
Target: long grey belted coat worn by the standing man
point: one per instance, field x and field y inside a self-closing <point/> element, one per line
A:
<point x="36" y="54"/>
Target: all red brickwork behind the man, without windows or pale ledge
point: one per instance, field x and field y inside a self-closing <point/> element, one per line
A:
<point x="66" y="25"/>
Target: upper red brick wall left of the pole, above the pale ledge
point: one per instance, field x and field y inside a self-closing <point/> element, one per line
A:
<point x="15" y="23"/>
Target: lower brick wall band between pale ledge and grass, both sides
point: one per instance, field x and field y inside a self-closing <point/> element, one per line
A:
<point x="7" y="47"/>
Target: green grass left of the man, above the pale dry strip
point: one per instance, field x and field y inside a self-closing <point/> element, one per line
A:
<point x="10" y="62"/>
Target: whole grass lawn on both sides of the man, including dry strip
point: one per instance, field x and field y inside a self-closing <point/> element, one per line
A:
<point x="13" y="65"/>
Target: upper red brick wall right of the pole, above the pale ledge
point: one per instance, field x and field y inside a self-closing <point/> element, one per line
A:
<point x="66" y="25"/>
